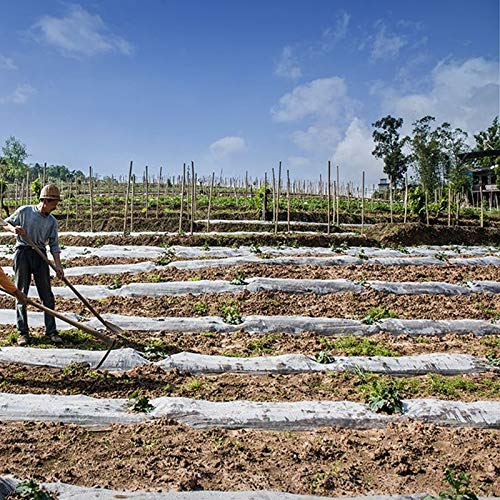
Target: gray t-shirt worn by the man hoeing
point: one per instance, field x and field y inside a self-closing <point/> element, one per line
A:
<point x="40" y="228"/>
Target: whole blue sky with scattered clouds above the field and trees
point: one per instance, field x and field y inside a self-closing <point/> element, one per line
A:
<point x="239" y="85"/>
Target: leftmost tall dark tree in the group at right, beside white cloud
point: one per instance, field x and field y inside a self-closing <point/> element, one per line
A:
<point x="390" y="147"/>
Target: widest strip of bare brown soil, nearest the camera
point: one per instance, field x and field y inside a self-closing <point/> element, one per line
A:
<point x="161" y="455"/>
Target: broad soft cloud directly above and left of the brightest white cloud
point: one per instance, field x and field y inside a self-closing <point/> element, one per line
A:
<point x="323" y="97"/>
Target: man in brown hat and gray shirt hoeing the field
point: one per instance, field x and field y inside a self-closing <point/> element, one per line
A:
<point x="37" y="222"/>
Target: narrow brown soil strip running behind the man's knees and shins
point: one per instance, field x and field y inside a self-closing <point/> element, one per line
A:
<point x="341" y="305"/>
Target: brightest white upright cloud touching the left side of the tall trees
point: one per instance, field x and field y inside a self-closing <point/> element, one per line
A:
<point x="353" y="154"/>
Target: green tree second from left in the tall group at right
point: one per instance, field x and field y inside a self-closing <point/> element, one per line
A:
<point x="426" y="154"/>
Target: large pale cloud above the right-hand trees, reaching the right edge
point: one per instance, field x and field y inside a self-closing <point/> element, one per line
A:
<point x="465" y="94"/>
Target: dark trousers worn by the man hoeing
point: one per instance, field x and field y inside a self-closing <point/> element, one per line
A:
<point x="27" y="263"/>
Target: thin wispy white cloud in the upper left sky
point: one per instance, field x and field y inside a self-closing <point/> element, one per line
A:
<point x="79" y="34"/>
